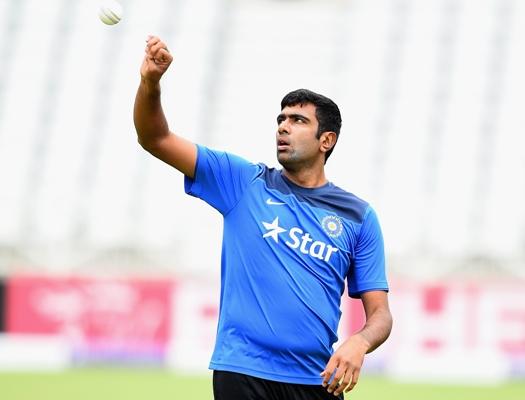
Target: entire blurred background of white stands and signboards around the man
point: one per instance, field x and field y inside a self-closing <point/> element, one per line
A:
<point x="105" y="261"/>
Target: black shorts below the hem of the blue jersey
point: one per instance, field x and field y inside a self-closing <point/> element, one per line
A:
<point x="234" y="386"/>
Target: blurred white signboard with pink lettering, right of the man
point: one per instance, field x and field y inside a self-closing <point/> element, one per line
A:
<point x="451" y="332"/>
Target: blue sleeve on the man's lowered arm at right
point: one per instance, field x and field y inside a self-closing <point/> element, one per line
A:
<point x="367" y="272"/>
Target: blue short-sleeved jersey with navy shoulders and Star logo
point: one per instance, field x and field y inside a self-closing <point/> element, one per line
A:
<point x="286" y="254"/>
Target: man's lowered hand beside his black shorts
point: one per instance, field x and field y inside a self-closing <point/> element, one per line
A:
<point x="344" y="366"/>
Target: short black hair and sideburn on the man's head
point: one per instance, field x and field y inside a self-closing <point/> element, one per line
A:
<point x="326" y="111"/>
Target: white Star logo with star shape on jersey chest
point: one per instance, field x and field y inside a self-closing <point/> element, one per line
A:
<point x="297" y="239"/>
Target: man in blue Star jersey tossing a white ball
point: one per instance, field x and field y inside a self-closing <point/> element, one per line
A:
<point x="291" y="239"/>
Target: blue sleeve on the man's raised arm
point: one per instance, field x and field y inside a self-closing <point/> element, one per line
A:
<point x="220" y="178"/>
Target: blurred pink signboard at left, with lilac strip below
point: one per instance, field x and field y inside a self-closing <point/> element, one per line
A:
<point x="102" y="319"/>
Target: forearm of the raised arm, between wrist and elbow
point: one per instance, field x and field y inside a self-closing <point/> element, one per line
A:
<point x="150" y="123"/>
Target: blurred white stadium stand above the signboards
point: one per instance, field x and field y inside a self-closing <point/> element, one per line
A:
<point x="431" y="94"/>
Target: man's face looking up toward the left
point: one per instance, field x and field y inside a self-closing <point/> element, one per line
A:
<point x="297" y="145"/>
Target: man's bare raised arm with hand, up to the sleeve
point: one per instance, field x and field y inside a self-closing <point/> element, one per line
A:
<point x="150" y="123"/>
